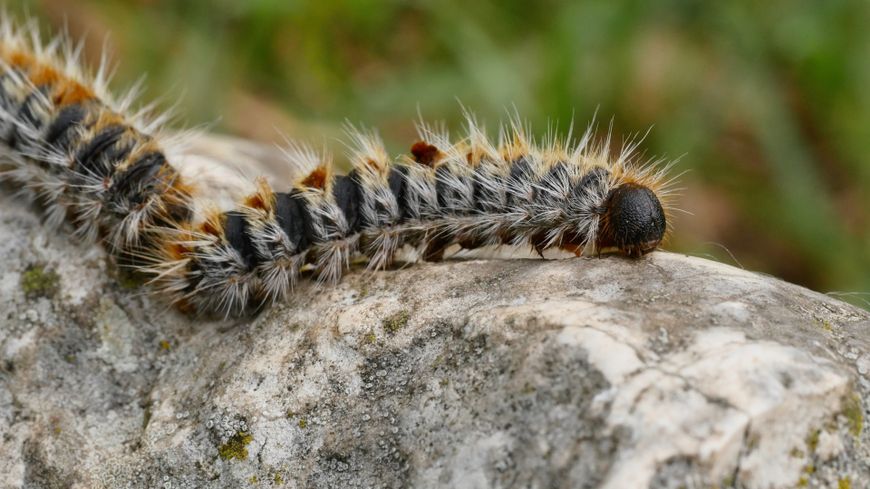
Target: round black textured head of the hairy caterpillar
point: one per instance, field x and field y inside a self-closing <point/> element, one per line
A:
<point x="633" y="220"/>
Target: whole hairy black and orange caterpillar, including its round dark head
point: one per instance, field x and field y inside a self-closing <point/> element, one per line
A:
<point x="109" y="172"/>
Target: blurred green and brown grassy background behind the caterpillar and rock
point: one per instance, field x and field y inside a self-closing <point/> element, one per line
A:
<point x="769" y="102"/>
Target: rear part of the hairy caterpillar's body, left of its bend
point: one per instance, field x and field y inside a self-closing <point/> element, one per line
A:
<point x="67" y="145"/>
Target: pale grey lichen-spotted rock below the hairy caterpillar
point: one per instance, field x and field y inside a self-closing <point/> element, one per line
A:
<point x="667" y="372"/>
